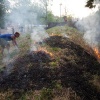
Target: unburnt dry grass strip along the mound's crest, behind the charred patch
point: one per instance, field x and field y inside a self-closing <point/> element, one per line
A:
<point x="72" y="33"/>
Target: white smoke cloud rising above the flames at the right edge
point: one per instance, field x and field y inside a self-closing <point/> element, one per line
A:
<point x="90" y="26"/>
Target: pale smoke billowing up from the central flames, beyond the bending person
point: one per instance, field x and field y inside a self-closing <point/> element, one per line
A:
<point x="27" y="14"/>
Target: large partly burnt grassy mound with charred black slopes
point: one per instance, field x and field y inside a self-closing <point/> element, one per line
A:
<point x="69" y="74"/>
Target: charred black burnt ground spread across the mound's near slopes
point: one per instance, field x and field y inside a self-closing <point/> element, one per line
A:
<point x="75" y="70"/>
